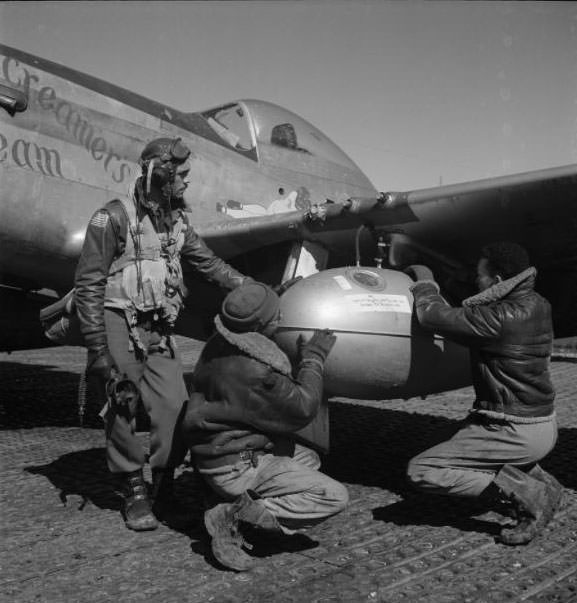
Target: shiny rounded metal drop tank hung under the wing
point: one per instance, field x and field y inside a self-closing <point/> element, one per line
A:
<point x="380" y="352"/>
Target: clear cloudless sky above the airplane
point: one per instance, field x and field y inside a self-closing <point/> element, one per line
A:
<point x="417" y="93"/>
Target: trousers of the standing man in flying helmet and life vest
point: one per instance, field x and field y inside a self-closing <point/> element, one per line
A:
<point x="160" y="380"/>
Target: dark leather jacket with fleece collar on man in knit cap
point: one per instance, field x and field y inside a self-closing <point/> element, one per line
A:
<point x="246" y="398"/>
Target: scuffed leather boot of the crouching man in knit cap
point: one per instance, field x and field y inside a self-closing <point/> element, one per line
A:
<point x="223" y="524"/>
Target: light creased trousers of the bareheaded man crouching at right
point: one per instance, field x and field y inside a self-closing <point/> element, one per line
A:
<point x="466" y="463"/>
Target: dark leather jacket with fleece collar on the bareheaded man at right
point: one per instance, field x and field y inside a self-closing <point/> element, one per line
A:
<point x="508" y="329"/>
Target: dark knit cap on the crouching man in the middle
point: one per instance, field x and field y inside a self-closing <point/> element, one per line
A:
<point x="249" y="307"/>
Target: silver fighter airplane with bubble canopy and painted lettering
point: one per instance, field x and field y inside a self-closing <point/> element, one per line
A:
<point x="276" y="198"/>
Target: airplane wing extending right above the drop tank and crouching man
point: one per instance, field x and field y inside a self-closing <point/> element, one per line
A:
<point x="444" y="227"/>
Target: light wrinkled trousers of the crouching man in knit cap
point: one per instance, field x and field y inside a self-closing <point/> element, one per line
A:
<point x="291" y="488"/>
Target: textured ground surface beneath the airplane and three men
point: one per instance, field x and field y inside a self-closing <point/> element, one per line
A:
<point x="62" y="538"/>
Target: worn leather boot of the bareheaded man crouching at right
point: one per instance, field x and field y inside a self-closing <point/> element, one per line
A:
<point x="535" y="502"/>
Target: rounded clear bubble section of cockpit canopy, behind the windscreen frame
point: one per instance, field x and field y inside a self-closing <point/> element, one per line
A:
<point x="279" y="127"/>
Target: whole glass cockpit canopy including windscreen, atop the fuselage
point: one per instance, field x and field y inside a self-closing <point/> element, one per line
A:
<point x="249" y="126"/>
